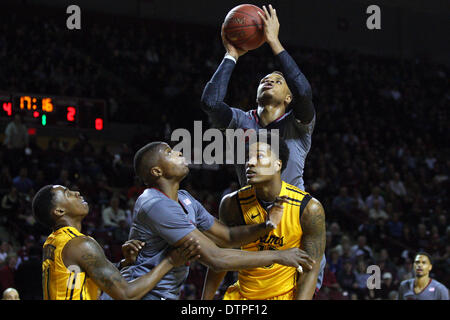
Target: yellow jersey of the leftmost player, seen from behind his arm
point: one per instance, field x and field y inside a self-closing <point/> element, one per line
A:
<point x="58" y="281"/>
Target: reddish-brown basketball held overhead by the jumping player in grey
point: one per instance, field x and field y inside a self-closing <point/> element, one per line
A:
<point x="244" y="28"/>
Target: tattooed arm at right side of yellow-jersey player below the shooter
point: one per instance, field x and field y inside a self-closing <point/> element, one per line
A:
<point x="313" y="242"/>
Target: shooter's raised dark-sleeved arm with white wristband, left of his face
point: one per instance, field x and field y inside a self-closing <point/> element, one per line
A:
<point x="216" y="89"/>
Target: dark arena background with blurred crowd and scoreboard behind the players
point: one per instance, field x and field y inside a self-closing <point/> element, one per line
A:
<point x="89" y="98"/>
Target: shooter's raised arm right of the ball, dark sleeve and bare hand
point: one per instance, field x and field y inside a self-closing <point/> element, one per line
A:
<point x="302" y="105"/>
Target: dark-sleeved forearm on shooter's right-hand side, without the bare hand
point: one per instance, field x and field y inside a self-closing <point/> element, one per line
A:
<point x="303" y="108"/>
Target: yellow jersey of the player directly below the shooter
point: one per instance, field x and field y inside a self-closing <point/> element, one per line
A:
<point x="274" y="281"/>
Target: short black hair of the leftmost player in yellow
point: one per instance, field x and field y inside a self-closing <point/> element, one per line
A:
<point x="42" y="206"/>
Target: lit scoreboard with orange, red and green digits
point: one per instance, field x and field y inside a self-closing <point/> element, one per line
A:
<point x="51" y="111"/>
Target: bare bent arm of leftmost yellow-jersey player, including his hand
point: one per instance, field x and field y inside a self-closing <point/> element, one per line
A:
<point x="86" y="253"/>
